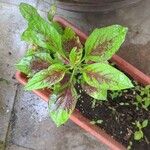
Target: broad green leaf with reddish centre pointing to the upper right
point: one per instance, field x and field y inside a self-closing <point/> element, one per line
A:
<point x="103" y="43"/>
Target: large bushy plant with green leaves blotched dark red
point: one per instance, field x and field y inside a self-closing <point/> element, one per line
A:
<point x="67" y="61"/>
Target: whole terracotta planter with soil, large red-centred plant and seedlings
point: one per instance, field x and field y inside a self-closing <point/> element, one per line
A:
<point x="73" y="73"/>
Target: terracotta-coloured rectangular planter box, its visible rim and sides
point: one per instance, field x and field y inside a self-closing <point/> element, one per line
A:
<point x="77" y="117"/>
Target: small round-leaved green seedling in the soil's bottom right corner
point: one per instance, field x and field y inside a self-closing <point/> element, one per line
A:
<point x="138" y="135"/>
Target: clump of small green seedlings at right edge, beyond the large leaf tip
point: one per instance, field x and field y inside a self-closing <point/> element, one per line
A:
<point x="143" y="98"/>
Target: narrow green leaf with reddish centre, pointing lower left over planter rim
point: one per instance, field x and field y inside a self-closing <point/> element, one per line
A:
<point x="46" y="78"/>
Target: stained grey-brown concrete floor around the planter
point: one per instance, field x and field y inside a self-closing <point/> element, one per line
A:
<point x="24" y="121"/>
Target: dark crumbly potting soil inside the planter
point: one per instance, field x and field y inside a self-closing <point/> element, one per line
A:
<point x="117" y="118"/>
